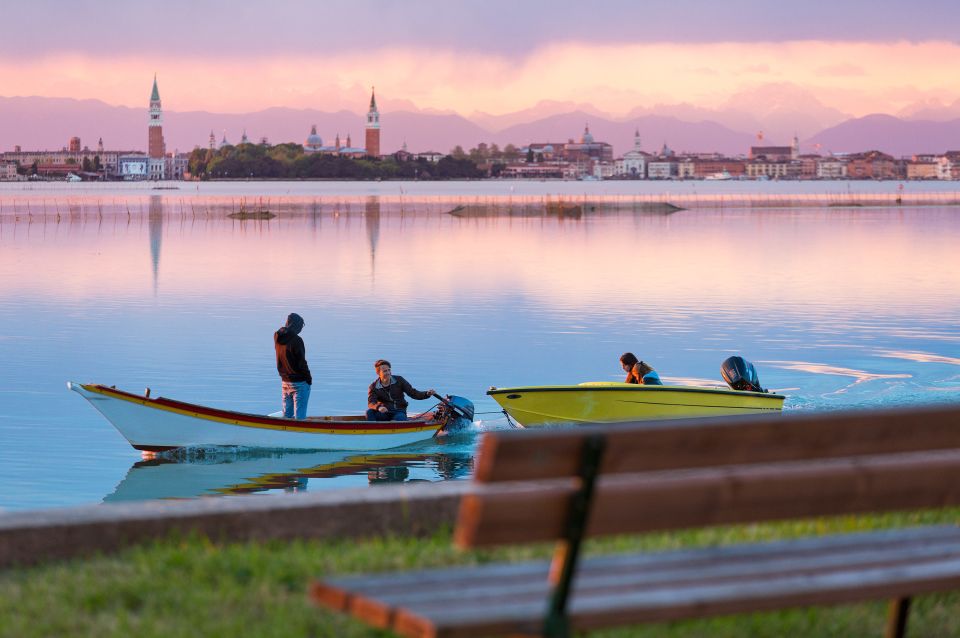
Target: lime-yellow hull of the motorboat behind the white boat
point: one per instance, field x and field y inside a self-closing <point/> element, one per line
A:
<point x="611" y="402"/>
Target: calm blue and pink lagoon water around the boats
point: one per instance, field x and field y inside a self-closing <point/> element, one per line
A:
<point x="838" y="308"/>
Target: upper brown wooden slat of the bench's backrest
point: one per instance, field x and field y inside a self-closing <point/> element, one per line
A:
<point x="664" y="445"/>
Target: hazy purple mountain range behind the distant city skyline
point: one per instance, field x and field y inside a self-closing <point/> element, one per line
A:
<point x="48" y="123"/>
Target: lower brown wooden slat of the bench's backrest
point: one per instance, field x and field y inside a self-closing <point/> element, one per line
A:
<point x="535" y="511"/>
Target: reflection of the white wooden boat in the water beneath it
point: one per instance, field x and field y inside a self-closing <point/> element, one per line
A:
<point x="220" y="473"/>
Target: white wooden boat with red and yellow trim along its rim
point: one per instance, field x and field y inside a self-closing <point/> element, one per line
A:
<point x="159" y="424"/>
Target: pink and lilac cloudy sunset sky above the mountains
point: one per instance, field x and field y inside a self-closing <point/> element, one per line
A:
<point x="854" y="57"/>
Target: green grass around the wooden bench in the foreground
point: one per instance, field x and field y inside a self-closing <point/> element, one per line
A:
<point x="195" y="587"/>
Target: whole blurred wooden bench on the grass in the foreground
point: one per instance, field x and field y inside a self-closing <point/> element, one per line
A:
<point x="566" y="485"/>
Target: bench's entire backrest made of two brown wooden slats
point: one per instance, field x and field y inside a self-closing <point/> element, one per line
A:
<point x="701" y="472"/>
